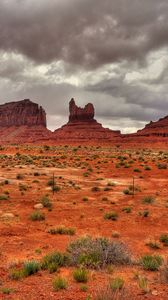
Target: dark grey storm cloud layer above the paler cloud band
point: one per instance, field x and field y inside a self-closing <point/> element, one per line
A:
<point x="88" y="33"/>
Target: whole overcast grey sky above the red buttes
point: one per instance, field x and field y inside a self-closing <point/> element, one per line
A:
<point x="113" y="53"/>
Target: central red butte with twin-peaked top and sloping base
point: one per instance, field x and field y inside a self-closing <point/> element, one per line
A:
<point x="83" y="127"/>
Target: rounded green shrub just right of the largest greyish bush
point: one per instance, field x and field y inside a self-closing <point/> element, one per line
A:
<point x="151" y="263"/>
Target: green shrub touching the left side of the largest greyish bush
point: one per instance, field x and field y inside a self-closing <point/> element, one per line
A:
<point x="53" y="261"/>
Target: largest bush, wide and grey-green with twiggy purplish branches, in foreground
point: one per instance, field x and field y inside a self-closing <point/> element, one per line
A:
<point x="98" y="253"/>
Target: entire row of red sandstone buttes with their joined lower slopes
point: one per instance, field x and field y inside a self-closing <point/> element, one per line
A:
<point x="25" y="122"/>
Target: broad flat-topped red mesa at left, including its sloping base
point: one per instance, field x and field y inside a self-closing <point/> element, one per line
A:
<point x="23" y="122"/>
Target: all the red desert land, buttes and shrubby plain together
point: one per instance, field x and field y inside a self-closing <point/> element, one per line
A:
<point x="83" y="211"/>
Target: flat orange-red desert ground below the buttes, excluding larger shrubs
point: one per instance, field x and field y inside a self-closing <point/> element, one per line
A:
<point x="77" y="170"/>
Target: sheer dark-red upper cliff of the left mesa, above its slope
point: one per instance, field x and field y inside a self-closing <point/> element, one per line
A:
<point x="22" y="113"/>
